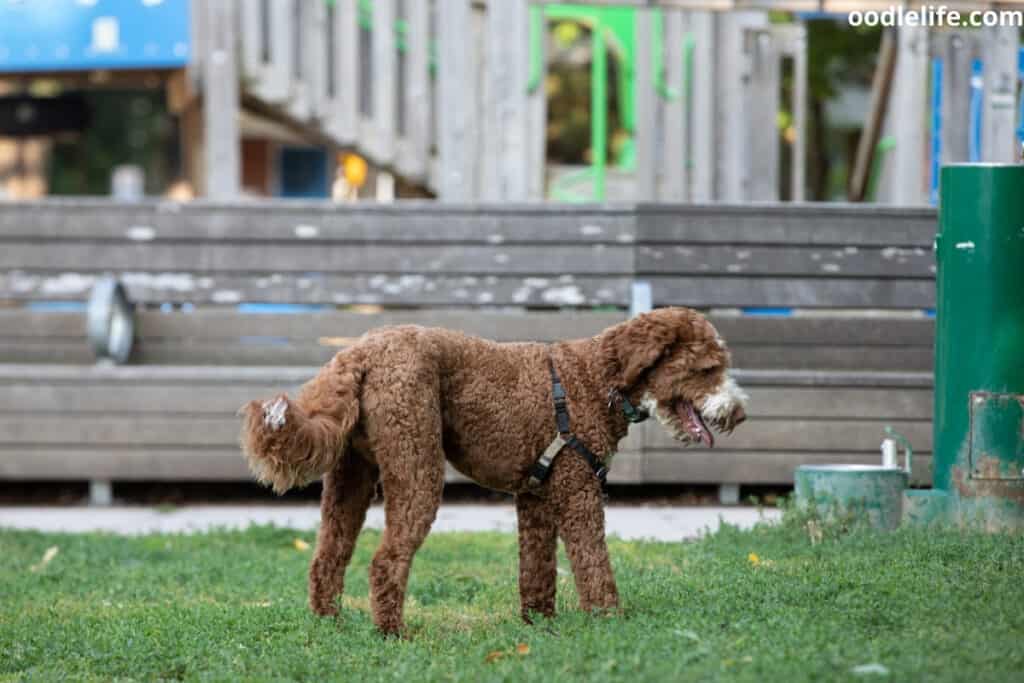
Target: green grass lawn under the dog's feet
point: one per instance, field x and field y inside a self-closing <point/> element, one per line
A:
<point x="232" y="606"/>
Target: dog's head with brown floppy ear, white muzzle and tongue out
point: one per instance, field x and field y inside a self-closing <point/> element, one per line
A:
<point x="673" y="362"/>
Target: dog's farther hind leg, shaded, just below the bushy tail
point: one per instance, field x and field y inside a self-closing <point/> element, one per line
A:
<point x="348" y="492"/>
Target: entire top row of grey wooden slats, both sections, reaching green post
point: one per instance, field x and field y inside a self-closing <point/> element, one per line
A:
<point x="718" y="224"/>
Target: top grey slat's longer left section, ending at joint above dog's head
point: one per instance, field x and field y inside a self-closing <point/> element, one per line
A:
<point x="306" y="223"/>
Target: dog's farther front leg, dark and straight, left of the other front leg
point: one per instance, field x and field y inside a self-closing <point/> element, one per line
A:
<point x="538" y="556"/>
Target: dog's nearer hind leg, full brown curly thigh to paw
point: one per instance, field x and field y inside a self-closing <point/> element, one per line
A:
<point x="407" y="445"/>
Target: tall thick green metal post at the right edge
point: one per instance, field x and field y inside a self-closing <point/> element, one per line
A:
<point x="979" y="346"/>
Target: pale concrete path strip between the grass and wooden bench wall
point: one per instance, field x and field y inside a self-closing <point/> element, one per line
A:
<point x="657" y="523"/>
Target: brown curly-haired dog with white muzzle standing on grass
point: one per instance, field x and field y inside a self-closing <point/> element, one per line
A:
<point x="402" y="401"/>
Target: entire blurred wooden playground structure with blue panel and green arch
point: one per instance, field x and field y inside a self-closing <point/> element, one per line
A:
<point x="450" y="97"/>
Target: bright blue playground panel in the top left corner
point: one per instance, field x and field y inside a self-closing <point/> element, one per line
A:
<point x="80" y="35"/>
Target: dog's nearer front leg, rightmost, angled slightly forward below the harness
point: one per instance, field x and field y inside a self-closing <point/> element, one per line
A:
<point x="580" y="516"/>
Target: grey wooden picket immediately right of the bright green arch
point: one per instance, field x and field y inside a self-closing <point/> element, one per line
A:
<point x="647" y="110"/>
